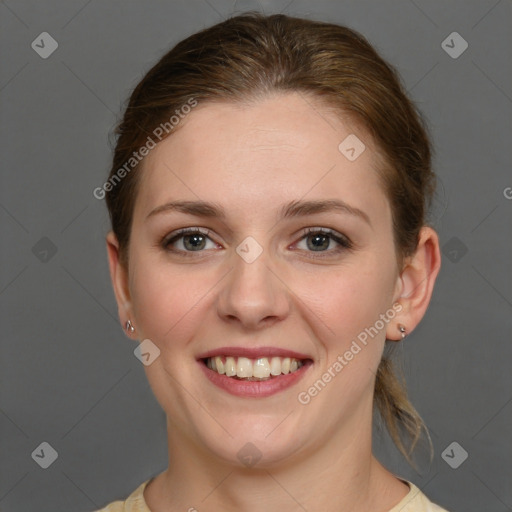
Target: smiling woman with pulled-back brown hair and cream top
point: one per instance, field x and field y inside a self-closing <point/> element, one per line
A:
<point x="268" y="197"/>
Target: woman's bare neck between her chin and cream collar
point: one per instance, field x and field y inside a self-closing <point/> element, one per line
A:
<point x="339" y="475"/>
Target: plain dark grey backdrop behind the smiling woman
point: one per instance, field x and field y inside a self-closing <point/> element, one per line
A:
<point x="68" y="374"/>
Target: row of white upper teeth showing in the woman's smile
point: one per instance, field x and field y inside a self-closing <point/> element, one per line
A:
<point x="245" y="368"/>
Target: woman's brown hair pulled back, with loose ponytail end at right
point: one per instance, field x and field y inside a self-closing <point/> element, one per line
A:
<point x="252" y="56"/>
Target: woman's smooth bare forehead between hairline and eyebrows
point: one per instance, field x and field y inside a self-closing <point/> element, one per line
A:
<point x="256" y="156"/>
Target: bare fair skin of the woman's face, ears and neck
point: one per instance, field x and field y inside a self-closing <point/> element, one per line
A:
<point x="253" y="159"/>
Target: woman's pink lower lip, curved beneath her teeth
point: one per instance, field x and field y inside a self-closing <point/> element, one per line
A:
<point x="255" y="389"/>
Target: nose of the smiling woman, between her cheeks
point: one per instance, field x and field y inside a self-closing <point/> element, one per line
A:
<point x="253" y="295"/>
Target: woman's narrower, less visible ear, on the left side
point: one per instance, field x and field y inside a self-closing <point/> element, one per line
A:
<point x="119" y="277"/>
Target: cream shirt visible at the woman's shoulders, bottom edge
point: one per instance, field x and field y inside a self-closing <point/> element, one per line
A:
<point x="414" y="501"/>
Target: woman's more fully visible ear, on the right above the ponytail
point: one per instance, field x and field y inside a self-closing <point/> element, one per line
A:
<point x="416" y="283"/>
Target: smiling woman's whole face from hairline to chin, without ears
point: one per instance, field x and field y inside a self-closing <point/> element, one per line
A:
<point x="260" y="277"/>
